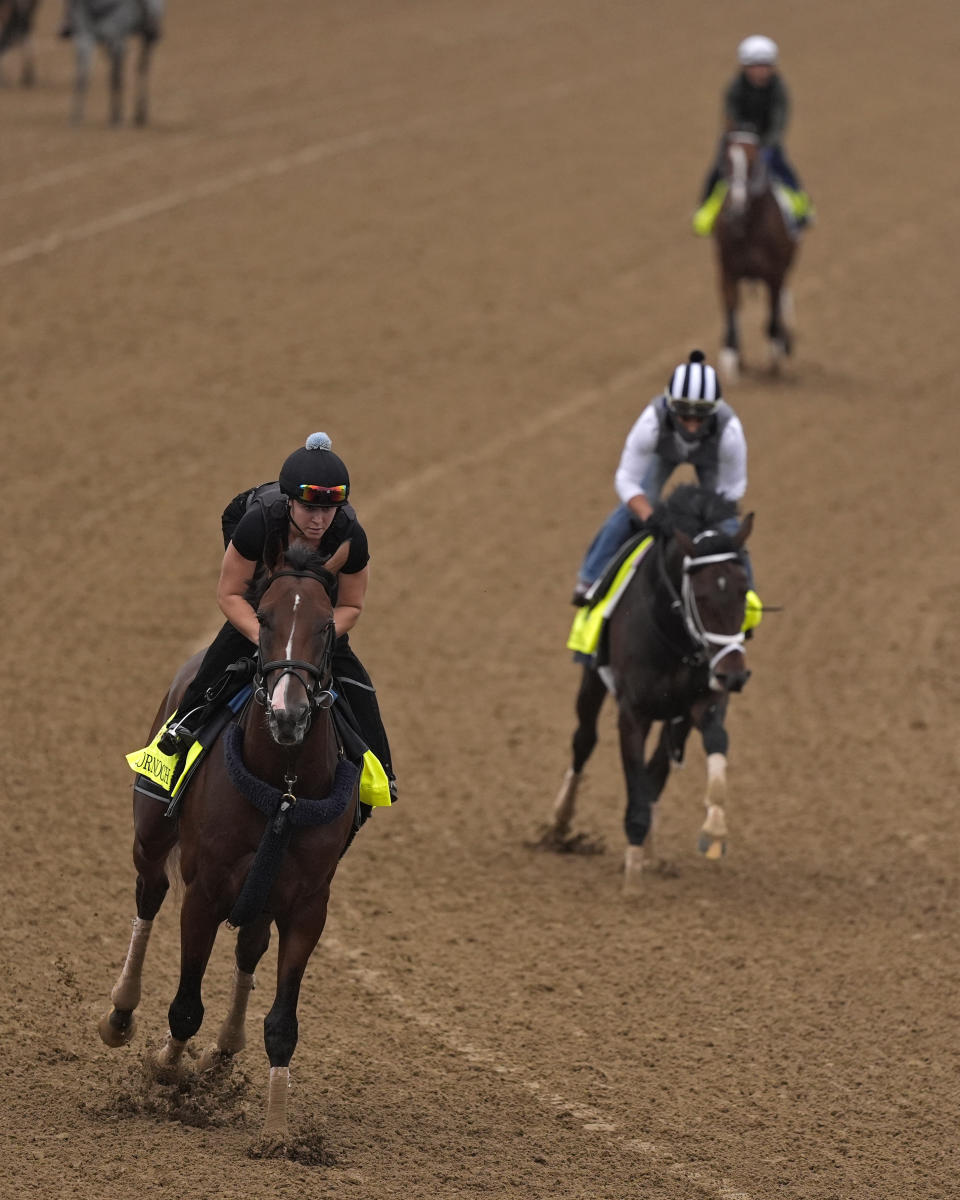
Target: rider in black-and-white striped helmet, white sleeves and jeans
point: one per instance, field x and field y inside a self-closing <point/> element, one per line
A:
<point x="689" y="423"/>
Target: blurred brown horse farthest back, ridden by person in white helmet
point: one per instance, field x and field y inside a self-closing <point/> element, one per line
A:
<point x="754" y="243"/>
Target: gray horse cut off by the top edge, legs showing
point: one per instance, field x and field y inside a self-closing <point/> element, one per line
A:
<point x="110" y="23"/>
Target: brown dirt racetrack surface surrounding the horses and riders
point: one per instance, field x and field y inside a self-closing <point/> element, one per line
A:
<point x="455" y="236"/>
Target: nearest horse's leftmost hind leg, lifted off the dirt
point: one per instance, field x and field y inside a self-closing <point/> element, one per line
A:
<point x="155" y="836"/>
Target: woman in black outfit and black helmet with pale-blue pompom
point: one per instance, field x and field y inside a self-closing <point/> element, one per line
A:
<point x="309" y="505"/>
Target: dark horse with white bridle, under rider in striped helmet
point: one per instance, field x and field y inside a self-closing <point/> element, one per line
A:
<point x="675" y="656"/>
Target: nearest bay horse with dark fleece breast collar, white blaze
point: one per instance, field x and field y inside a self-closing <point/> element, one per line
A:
<point x="290" y="748"/>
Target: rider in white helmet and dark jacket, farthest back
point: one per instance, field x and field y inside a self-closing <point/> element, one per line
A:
<point x="757" y="100"/>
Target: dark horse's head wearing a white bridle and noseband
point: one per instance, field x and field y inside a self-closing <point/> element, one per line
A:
<point x="713" y="601"/>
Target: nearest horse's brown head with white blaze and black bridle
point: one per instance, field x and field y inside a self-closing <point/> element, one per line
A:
<point x="296" y="614"/>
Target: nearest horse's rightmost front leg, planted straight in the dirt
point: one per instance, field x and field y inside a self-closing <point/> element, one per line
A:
<point x="280" y="1027"/>
